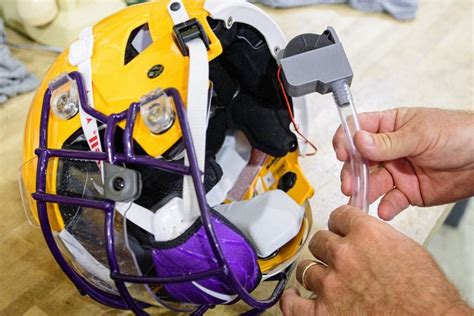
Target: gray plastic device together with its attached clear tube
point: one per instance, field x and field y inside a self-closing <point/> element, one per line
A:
<point x="318" y="63"/>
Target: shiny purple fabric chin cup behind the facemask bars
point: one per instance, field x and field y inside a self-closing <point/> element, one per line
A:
<point x="196" y="255"/>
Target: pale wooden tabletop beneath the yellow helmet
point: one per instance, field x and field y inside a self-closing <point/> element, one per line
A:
<point x="427" y="62"/>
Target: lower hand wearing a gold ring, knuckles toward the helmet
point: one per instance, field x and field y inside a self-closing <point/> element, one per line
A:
<point x="372" y="269"/>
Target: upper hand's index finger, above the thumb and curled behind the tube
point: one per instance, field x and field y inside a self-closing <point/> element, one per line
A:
<point x="372" y="122"/>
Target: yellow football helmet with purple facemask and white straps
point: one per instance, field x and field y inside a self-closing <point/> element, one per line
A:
<point x="160" y="161"/>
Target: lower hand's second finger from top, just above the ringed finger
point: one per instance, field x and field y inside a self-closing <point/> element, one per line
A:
<point x="322" y="245"/>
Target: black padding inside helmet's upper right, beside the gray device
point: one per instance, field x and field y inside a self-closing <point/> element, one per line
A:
<point x="245" y="81"/>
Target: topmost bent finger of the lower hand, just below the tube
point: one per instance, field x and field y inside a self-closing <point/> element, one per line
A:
<point x="343" y="219"/>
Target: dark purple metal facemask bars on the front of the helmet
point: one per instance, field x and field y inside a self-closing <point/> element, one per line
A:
<point x="125" y="300"/>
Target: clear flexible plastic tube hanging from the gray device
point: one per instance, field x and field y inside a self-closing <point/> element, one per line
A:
<point x="359" y="165"/>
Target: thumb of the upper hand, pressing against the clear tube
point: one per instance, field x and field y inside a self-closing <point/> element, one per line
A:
<point x="385" y="146"/>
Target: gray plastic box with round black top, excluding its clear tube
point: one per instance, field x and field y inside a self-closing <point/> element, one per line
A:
<point x="314" y="63"/>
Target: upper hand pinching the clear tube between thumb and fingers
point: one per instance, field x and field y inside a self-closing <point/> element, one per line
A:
<point x="420" y="157"/>
